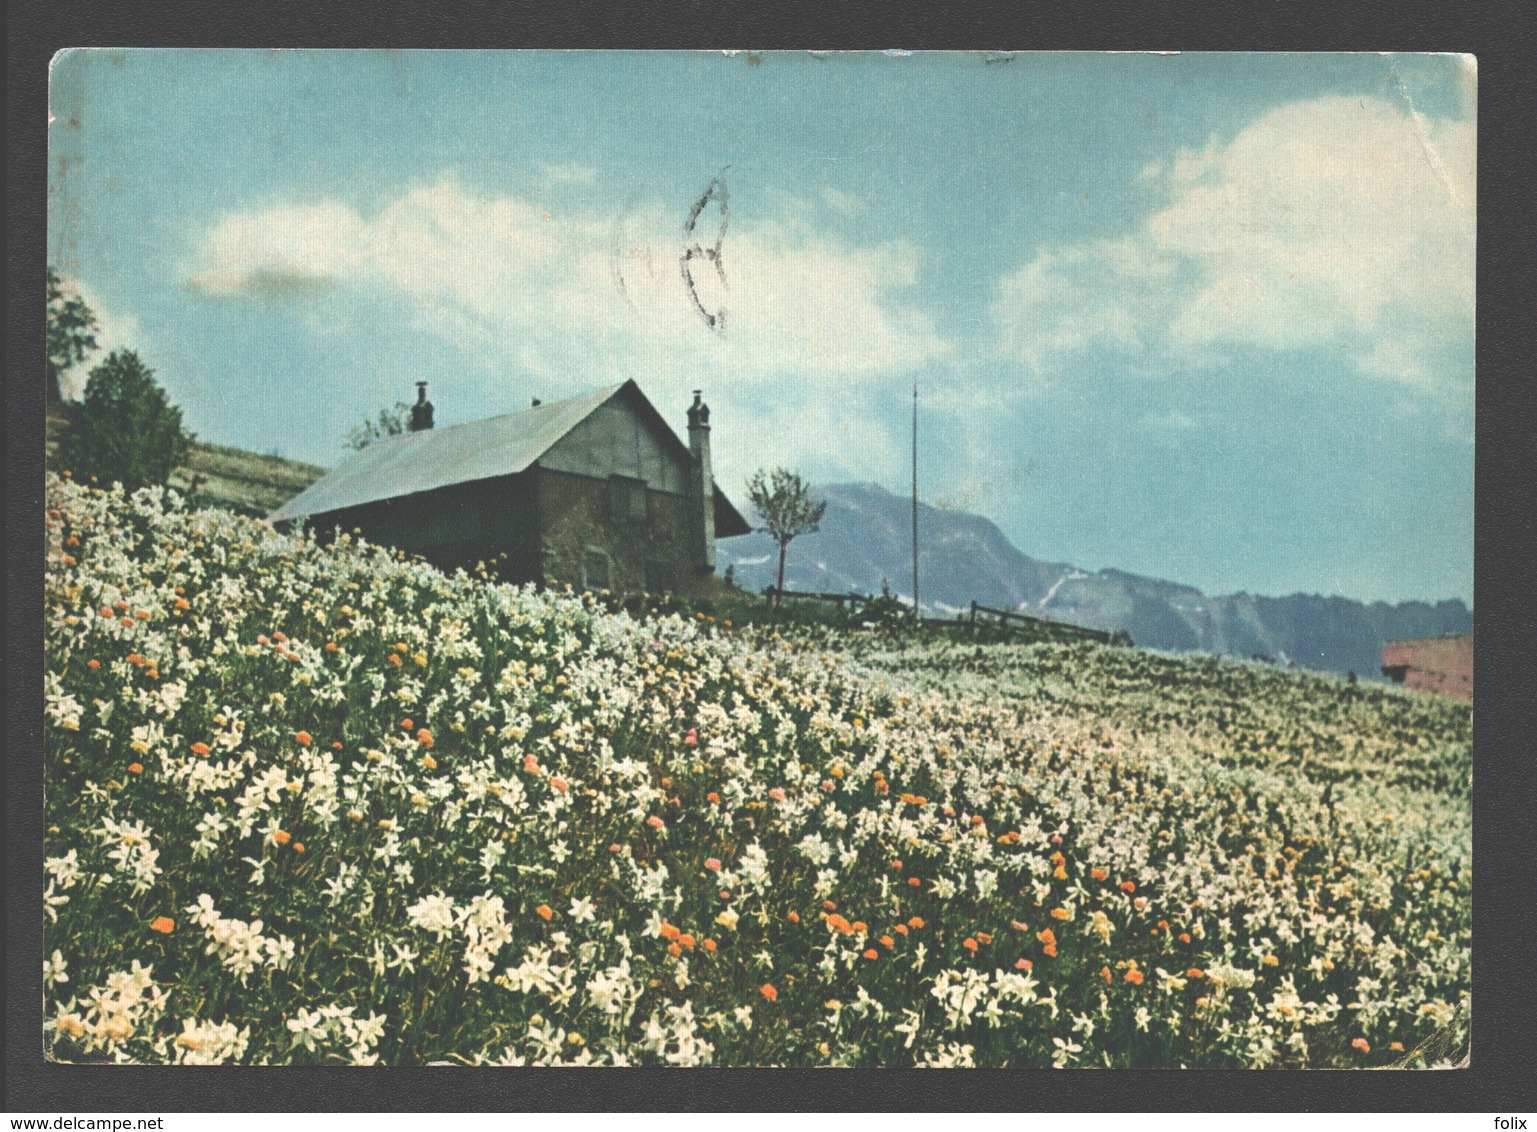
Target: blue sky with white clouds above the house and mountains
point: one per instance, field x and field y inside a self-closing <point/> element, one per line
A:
<point x="1204" y="318"/>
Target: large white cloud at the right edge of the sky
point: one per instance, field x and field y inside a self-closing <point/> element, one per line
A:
<point x="1338" y="222"/>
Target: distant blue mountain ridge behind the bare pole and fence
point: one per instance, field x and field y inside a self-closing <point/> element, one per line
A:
<point x="866" y="539"/>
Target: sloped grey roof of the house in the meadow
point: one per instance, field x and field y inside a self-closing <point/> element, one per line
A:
<point x="483" y="450"/>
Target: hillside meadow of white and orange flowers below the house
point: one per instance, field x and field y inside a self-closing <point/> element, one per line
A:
<point x="330" y="807"/>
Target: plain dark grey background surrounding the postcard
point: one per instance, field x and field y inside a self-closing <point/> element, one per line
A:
<point x="1505" y="750"/>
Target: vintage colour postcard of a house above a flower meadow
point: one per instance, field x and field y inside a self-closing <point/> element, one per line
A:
<point x="760" y="559"/>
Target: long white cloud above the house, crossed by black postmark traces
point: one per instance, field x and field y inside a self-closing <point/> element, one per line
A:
<point x="568" y="301"/>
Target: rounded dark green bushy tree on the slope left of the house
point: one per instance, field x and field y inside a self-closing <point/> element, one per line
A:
<point x="127" y="428"/>
